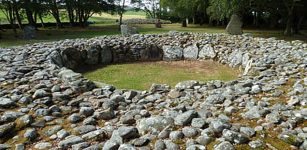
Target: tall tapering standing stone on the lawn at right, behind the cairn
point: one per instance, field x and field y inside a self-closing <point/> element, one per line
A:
<point x="234" y="26"/>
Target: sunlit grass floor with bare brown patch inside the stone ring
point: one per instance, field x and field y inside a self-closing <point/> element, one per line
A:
<point x="141" y="75"/>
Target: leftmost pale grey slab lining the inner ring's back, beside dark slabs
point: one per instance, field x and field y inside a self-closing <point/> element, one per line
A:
<point x="172" y="53"/>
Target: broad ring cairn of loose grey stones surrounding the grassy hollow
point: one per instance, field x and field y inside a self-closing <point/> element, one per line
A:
<point x="46" y="103"/>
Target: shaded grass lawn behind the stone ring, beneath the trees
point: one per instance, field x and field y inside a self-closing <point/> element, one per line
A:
<point x="53" y="34"/>
